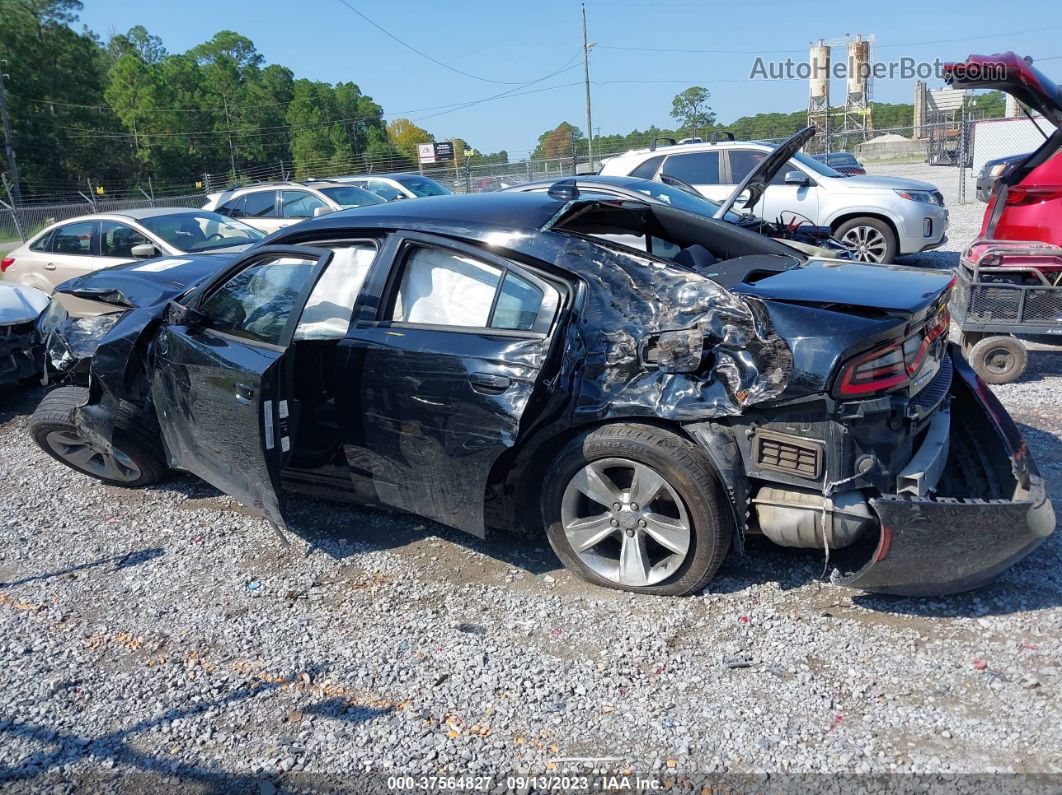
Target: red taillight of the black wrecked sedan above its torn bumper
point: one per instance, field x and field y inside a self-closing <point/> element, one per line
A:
<point x="892" y="366"/>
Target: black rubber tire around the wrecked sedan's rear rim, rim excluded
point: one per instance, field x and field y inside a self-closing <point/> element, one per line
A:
<point x="686" y="470"/>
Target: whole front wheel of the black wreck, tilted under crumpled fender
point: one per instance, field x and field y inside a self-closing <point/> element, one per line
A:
<point x="134" y="460"/>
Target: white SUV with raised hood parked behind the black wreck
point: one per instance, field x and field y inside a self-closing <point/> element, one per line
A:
<point x="876" y="217"/>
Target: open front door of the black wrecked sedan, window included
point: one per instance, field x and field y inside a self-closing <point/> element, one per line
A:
<point x="221" y="379"/>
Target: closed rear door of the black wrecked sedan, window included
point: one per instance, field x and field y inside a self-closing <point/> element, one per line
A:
<point x="446" y="366"/>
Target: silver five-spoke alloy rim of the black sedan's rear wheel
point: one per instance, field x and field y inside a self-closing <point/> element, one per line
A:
<point x="626" y="523"/>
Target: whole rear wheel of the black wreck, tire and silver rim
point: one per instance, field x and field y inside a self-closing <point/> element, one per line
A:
<point x="638" y="509"/>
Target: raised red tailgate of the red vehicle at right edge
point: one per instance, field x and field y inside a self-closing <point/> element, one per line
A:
<point x="1016" y="76"/>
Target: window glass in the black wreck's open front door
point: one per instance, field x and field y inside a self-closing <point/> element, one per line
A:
<point x="258" y="303"/>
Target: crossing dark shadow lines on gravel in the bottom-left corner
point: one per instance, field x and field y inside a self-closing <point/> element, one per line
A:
<point x="149" y="770"/>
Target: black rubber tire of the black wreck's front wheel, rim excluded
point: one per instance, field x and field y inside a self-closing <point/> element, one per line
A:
<point x="135" y="437"/>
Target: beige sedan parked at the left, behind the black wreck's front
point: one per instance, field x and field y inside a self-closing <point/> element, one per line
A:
<point x="89" y="244"/>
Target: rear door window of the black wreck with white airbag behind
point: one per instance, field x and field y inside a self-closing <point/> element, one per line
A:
<point x="444" y="288"/>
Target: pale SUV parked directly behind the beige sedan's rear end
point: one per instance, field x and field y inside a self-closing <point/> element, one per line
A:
<point x="271" y="206"/>
